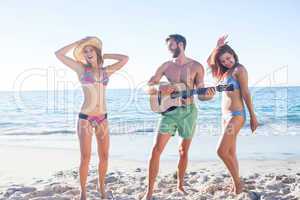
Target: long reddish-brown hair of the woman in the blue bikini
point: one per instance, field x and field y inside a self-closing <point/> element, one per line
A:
<point x="217" y="69"/>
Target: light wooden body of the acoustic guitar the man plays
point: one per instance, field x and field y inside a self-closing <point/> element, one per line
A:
<point x="160" y="103"/>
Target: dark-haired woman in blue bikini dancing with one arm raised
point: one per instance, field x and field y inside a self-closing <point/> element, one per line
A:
<point x="225" y="67"/>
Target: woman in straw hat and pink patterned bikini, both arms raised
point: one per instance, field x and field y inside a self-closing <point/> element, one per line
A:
<point x="88" y="65"/>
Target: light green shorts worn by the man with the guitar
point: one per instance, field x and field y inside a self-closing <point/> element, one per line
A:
<point x="182" y="119"/>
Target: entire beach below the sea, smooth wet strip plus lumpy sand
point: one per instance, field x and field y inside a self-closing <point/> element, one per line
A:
<point x="47" y="168"/>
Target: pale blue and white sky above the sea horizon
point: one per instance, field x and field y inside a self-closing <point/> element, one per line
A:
<point x="265" y="35"/>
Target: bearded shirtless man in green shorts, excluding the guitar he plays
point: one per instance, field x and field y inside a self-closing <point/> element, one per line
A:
<point x="182" y="119"/>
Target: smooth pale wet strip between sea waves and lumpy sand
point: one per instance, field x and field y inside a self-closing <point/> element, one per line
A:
<point x="36" y="157"/>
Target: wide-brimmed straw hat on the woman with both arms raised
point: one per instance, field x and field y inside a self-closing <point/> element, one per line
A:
<point x="90" y="41"/>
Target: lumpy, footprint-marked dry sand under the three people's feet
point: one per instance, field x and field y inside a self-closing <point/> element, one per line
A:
<point x="276" y="179"/>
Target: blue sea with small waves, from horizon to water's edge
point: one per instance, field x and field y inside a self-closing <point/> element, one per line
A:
<point x="41" y="113"/>
